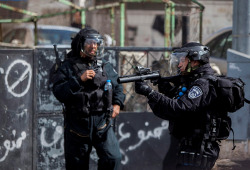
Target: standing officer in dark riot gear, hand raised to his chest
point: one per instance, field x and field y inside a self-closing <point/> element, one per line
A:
<point x="79" y="85"/>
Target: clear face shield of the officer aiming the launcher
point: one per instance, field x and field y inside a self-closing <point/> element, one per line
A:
<point x="176" y="64"/>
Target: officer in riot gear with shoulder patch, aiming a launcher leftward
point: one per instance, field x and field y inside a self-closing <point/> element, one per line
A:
<point x="188" y="105"/>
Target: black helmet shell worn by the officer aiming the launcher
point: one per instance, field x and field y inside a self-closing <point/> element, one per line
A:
<point x="196" y="52"/>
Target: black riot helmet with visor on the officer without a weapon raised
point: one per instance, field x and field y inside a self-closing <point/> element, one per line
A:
<point x="85" y="37"/>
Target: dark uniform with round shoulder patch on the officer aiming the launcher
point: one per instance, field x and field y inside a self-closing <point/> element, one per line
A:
<point x="190" y="115"/>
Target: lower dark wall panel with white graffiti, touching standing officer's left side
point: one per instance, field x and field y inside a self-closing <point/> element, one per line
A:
<point x="50" y="143"/>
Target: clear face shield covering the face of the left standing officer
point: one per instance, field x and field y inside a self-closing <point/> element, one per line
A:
<point x="93" y="46"/>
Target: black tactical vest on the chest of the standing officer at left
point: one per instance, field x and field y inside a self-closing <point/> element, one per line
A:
<point x="91" y="98"/>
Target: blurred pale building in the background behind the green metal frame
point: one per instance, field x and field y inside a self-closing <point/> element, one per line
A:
<point x="144" y="20"/>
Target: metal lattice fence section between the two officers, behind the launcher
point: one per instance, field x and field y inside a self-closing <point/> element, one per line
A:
<point x="155" y="58"/>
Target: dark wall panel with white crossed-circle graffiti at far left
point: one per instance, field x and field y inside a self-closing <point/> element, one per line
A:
<point x="15" y="109"/>
